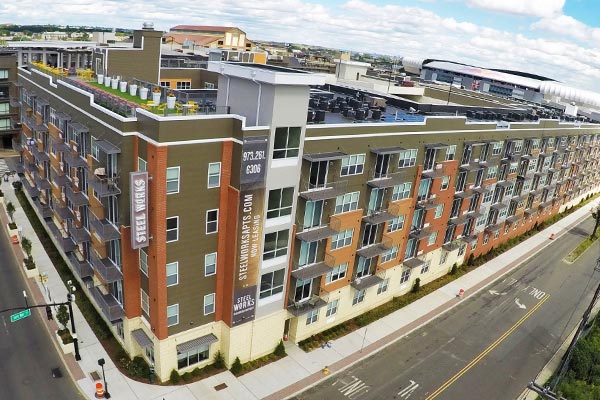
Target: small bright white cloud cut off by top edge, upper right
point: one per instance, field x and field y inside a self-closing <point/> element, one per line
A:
<point x="531" y="8"/>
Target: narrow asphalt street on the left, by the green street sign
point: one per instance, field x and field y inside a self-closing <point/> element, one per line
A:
<point x="27" y="354"/>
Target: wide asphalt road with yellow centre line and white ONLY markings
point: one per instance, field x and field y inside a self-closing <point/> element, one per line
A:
<point x="491" y="345"/>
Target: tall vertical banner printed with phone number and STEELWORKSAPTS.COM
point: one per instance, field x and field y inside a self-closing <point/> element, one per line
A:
<point x="250" y="228"/>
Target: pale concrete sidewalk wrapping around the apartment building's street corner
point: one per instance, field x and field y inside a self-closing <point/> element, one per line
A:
<point x="297" y="371"/>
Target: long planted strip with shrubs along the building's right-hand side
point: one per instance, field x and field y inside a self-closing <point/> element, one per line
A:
<point x="397" y="303"/>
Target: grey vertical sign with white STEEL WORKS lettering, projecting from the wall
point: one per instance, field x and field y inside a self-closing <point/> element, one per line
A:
<point x="138" y="192"/>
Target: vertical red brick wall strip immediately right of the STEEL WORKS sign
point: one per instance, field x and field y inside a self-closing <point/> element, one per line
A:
<point x="157" y="251"/>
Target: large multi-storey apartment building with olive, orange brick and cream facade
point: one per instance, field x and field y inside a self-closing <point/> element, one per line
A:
<point x="283" y="211"/>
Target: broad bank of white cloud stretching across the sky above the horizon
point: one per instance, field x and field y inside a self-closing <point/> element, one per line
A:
<point x="355" y="25"/>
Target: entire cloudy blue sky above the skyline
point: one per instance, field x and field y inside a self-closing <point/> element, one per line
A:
<point x="559" y="39"/>
